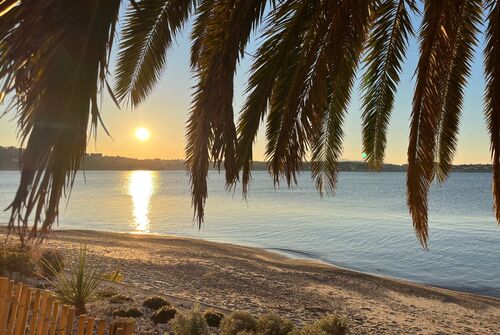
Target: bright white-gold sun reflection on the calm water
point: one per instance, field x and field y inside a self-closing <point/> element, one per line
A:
<point x="141" y="186"/>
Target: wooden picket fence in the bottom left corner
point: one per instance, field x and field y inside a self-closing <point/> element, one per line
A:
<point x="28" y="311"/>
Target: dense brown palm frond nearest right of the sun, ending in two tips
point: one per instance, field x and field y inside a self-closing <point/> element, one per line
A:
<point x="211" y="131"/>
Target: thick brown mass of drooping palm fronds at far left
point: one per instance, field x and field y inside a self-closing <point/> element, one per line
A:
<point x="71" y="57"/>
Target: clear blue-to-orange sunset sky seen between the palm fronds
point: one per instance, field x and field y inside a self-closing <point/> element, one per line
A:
<point x="166" y="110"/>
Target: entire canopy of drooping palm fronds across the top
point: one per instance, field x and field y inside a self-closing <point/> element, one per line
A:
<point x="300" y="85"/>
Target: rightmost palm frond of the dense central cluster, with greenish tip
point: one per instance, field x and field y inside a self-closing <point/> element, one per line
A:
<point x="348" y="31"/>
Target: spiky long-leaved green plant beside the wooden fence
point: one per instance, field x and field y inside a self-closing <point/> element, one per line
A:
<point x="79" y="284"/>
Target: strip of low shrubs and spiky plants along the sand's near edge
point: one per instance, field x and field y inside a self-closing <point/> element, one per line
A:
<point x="77" y="280"/>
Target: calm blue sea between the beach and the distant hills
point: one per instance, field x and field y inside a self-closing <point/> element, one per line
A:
<point x="365" y="227"/>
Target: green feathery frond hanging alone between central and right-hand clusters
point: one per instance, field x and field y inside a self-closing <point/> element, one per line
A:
<point x="386" y="48"/>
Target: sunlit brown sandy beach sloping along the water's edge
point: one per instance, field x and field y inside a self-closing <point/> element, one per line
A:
<point x="231" y="277"/>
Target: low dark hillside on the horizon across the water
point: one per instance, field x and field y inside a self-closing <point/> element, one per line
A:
<point x="9" y="160"/>
